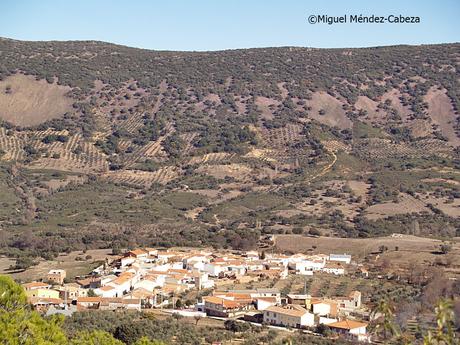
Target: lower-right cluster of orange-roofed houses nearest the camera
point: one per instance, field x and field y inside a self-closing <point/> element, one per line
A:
<point x="295" y="311"/>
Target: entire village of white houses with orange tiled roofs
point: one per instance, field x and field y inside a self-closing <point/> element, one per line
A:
<point x="146" y="279"/>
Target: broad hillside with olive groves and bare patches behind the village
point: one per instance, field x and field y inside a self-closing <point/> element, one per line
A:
<point x="104" y="145"/>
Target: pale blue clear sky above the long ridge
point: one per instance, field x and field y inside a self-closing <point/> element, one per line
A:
<point x="216" y="25"/>
